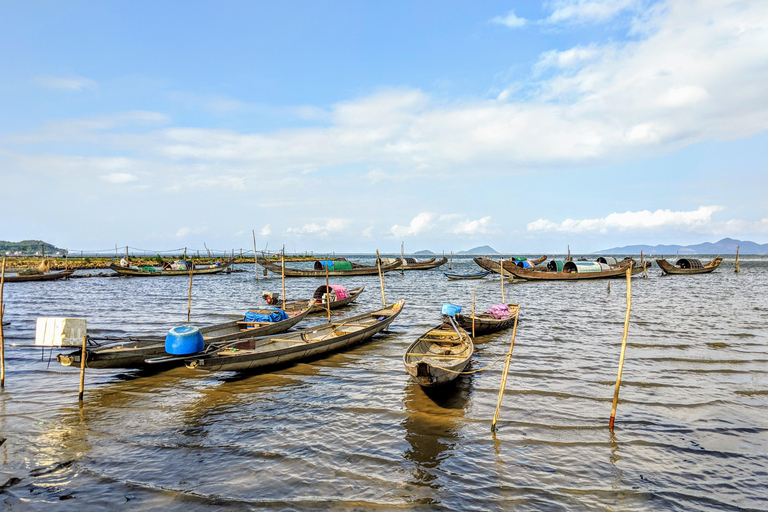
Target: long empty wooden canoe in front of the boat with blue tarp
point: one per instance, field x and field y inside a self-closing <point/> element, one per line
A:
<point x="260" y="353"/>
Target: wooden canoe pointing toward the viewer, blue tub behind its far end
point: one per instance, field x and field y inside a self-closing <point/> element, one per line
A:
<point x="439" y="355"/>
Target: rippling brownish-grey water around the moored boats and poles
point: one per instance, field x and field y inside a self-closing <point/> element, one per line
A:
<point x="352" y="431"/>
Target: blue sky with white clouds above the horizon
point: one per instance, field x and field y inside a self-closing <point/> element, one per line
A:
<point x="353" y="126"/>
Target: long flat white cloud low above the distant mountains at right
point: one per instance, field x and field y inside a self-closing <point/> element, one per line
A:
<point x="632" y="221"/>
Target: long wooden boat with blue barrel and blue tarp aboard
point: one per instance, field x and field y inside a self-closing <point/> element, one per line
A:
<point x="132" y="352"/>
